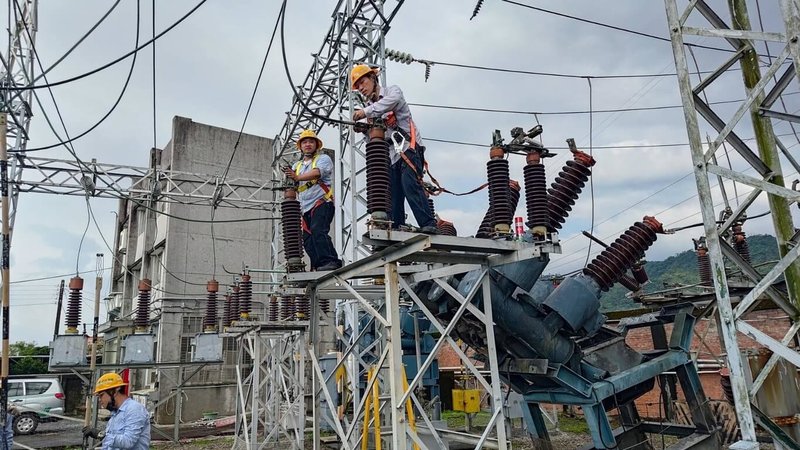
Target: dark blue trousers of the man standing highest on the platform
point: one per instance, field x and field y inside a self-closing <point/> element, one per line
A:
<point x="405" y="187"/>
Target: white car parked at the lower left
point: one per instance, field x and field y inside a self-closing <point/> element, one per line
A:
<point x="34" y="399"/>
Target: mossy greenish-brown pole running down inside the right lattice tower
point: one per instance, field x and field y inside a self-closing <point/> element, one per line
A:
<point x="767" y="150"/>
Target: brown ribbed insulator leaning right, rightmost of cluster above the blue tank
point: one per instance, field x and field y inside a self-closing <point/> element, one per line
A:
<point x="565" y="189"/>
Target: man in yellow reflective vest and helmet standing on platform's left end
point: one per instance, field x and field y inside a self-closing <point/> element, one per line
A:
<point x="314" y="173"/>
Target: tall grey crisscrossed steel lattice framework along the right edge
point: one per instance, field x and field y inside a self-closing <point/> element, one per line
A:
<point x="761" y="96"/>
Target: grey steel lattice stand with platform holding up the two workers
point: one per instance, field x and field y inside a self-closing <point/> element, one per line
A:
<point x="381" y="303"/>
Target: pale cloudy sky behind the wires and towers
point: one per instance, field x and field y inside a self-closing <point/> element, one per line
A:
<point x="207" y="66"/>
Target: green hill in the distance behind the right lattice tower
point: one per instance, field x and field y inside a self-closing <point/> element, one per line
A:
<point x="682" y="269"/>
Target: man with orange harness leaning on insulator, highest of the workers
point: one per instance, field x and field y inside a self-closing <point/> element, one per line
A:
<point x="407" y="166"/>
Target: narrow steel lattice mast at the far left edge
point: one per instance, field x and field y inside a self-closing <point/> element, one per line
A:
<point x="17" y="71"/>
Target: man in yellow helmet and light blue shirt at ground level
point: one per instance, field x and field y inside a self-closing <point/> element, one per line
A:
<point x="129" y="426"/>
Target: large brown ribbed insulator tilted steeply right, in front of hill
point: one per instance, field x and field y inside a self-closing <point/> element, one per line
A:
<point x="610" y="265"/>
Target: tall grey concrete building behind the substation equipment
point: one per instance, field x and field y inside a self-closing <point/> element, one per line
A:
<point x="179" y="250"/>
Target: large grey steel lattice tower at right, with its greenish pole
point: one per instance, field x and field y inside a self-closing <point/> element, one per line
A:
<point x="762" y="93"/>
